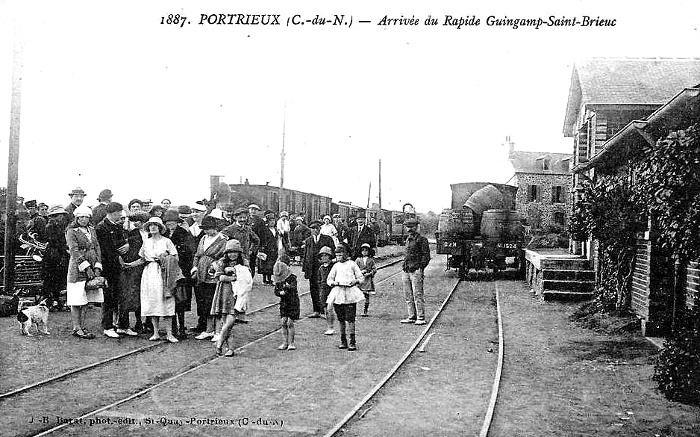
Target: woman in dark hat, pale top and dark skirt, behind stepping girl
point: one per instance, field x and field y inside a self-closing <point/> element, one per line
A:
<point x="211" y="247"/>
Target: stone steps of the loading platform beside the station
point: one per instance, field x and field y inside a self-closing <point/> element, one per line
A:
<point x="559" y="277"/>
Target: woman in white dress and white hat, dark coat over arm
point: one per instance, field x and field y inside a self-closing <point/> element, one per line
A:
<point x="159" y="278"/>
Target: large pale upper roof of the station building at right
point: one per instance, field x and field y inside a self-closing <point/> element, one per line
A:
<point x="627" y="81"/>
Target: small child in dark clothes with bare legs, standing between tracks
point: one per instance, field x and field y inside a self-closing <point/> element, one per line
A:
<point x="286" y="289"/>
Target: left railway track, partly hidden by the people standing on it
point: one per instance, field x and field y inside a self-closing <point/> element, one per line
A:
<point x="155" y="381"/>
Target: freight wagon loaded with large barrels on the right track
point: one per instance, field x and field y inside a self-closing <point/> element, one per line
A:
<point x="482" y="229"/>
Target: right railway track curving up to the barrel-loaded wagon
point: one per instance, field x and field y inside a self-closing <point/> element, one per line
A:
<point x="344" y="426"/>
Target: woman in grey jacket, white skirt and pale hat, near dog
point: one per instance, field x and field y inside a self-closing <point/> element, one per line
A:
<point x="85" y="263"/>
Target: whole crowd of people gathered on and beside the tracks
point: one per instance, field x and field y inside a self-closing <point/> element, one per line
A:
<point x="151" y="264"/>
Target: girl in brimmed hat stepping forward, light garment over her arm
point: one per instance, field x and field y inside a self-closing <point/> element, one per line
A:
<point x="231" y="294"/>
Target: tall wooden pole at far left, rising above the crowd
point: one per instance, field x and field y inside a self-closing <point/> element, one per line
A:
<point x="13" y="169"/>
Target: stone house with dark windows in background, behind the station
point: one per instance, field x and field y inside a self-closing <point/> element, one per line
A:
<point x="543" y="180"/>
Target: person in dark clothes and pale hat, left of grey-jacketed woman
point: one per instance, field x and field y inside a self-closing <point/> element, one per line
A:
<point x="55" y="260"/>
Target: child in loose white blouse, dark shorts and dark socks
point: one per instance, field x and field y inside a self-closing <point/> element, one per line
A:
<point x="344" y="277"/>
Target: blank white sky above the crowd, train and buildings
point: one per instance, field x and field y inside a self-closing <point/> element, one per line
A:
<point x="111" y="98"/>
